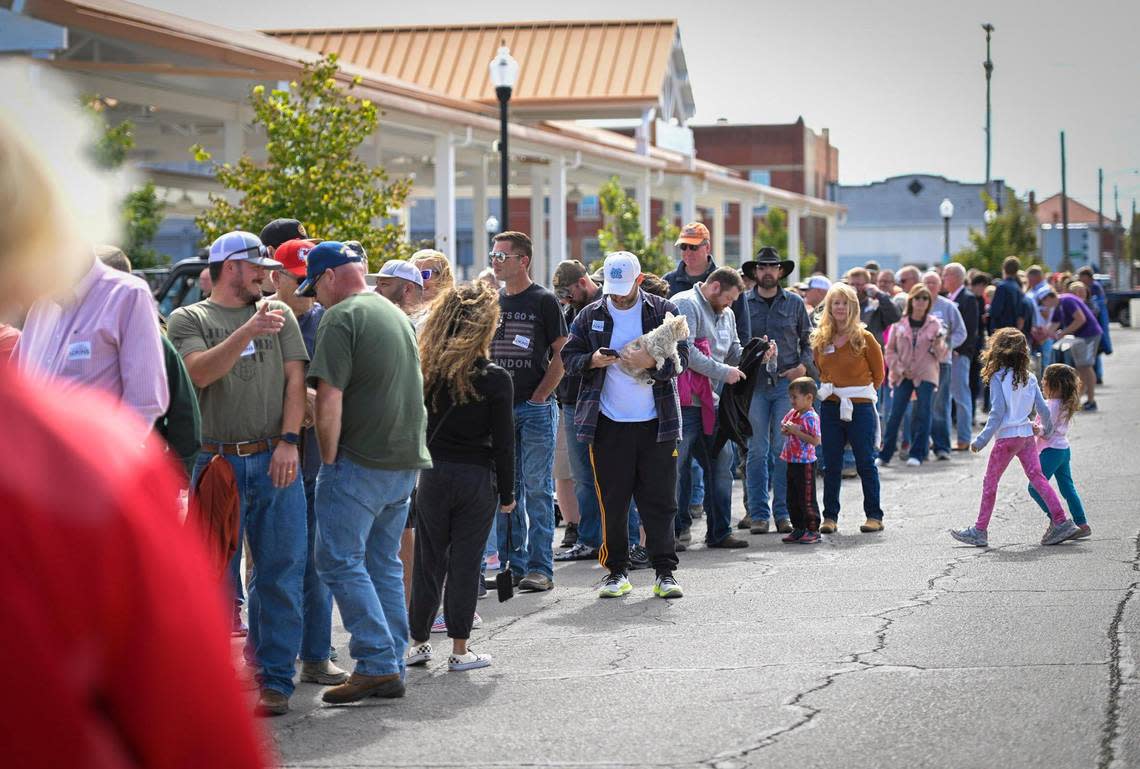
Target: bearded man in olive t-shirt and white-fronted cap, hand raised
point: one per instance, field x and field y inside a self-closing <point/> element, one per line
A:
<point x="247" y="359"/>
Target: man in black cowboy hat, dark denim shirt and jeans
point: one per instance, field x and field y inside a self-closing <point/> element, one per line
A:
<point x="781" y="317"/>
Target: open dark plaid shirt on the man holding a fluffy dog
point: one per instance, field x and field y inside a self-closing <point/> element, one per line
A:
<point x="592" y="330"/>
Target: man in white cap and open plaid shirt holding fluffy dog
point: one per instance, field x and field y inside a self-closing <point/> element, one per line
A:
<point x="632" y="427"/>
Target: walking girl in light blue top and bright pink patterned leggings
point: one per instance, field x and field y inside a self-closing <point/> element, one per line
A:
<point x="1014" y="394"/>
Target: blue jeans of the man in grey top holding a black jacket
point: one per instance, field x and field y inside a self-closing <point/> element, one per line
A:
<point x="697" y="447"/>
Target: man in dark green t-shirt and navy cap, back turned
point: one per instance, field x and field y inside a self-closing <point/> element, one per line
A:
<point x="371" y="423"/>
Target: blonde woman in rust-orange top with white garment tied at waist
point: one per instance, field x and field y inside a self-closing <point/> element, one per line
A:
<point x="850" y="362"/>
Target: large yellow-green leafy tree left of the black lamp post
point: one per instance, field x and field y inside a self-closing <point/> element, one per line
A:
<point x="312" y="170"/>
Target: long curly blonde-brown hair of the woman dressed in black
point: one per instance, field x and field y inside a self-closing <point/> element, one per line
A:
<point x="458" y="333"/>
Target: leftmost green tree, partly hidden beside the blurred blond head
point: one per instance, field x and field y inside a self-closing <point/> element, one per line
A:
<point x="142" y="210"/>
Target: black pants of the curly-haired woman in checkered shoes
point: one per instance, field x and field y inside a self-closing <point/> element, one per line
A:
<point x="455" y="508"/>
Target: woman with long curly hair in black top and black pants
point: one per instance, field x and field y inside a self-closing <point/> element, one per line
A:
<point x="471" y="438"/>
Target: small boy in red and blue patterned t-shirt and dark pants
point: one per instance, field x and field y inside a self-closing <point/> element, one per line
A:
<point x="801" y="428"/>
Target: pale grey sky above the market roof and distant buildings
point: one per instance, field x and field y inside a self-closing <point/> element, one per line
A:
<point x="899" y="83"/>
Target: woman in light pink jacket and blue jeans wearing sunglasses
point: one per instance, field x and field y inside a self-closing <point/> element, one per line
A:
<point x="914" y="349"/>
